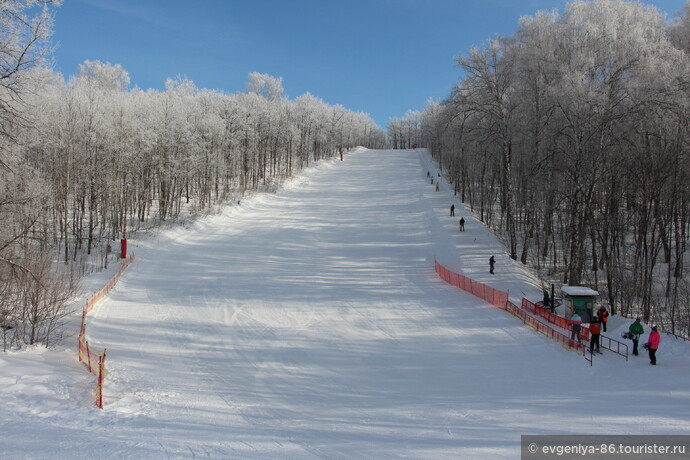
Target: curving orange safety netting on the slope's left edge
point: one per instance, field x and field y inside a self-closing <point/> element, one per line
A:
<point x="94" y="359"/>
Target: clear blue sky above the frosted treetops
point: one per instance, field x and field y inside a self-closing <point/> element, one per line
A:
<point x="382" y="57"/>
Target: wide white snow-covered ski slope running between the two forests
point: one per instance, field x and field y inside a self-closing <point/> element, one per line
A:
<point x="311" y="324"/>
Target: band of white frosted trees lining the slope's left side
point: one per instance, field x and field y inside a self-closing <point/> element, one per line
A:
<point x="89" y="160"/>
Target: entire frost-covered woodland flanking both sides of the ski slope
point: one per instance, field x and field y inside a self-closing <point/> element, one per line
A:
<point x="569" y="138"/>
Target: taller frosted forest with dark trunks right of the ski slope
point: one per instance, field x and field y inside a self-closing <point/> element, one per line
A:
<point x="570" y="138"/>
